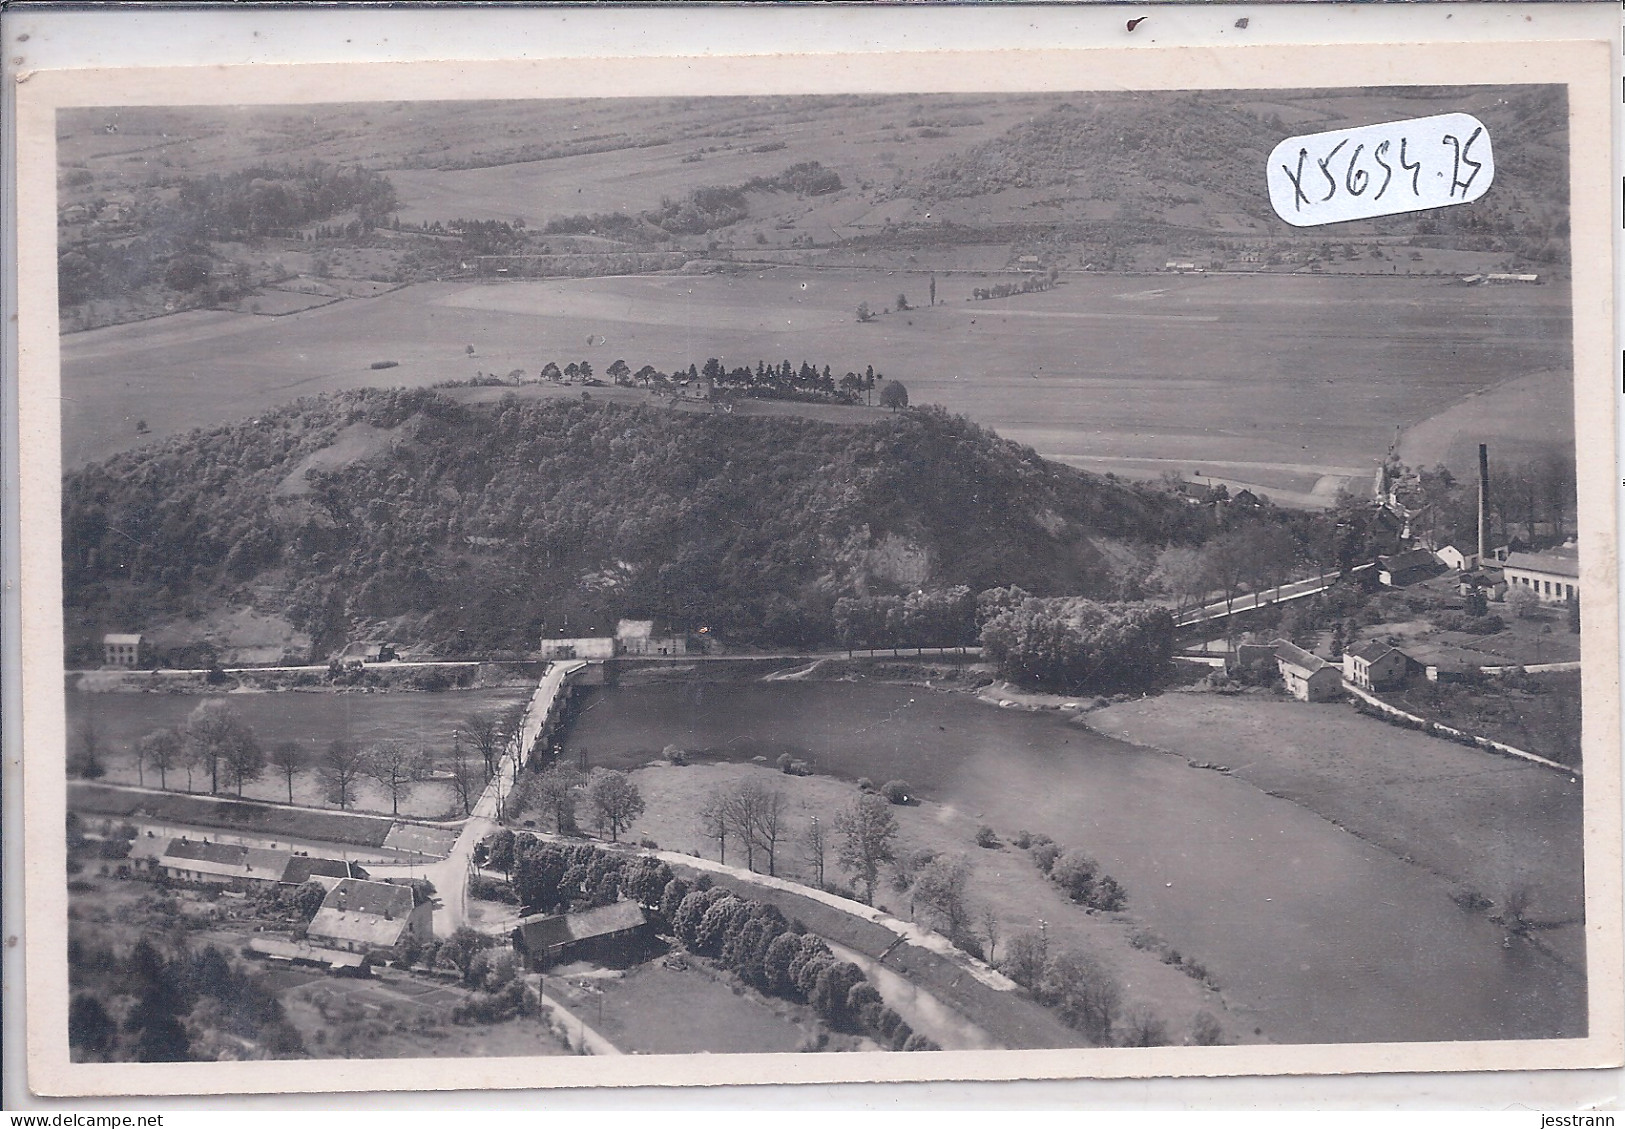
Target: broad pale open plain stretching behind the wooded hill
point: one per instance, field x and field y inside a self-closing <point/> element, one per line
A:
<point x="1286" y="383"/>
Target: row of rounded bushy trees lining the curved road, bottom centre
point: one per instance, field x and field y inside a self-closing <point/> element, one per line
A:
<point x="781" y="959"/>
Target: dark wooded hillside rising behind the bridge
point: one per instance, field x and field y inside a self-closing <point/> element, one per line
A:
<point x="479" y="529"/>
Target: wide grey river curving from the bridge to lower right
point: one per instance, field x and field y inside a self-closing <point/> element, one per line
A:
<point x="1315" y="935"/>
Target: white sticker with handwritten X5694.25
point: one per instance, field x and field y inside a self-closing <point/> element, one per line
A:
<point x="1380" y="170"/>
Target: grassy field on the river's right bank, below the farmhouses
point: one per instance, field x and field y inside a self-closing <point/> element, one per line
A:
<point x="1481" y="821"/>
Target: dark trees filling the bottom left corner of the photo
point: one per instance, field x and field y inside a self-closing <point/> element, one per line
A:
<point x="145" y="1006"/>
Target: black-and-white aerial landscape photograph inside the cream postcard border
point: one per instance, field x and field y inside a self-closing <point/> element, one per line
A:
<point x="813" y="574"/>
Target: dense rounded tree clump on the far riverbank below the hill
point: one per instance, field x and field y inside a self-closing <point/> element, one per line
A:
<point x="1070" y="644"/>
